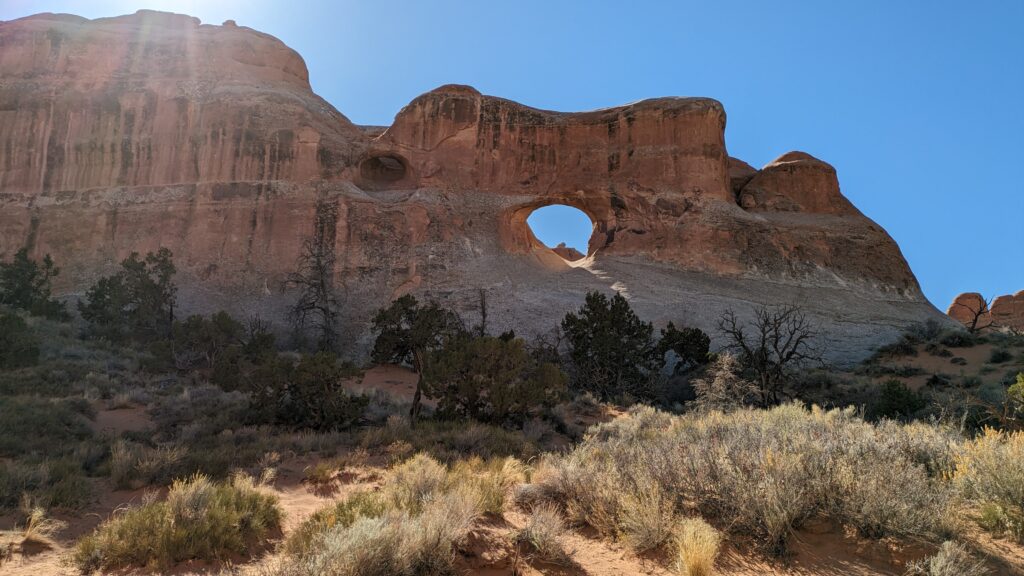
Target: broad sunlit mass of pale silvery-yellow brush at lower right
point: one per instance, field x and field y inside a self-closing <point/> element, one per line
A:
<point x="760" y="472"/>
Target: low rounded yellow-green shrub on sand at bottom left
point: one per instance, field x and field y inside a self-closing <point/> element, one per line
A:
<point x="199" y="520"/>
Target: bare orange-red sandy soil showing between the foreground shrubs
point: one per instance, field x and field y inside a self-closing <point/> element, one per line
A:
<point x="820" y="549"/>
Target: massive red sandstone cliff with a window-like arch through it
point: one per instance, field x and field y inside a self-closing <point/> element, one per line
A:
<point x="153" y="130"/>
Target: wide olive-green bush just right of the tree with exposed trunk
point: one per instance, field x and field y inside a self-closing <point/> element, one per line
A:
<point x="492" y="380"/>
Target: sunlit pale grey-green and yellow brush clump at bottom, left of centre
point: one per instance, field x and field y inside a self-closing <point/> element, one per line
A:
<point x="413" y="525"/>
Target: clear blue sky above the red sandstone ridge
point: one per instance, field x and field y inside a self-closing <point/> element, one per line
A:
<point x="919" y="105"/>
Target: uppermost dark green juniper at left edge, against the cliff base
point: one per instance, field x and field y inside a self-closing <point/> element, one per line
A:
<point x="25" y="284"/>
